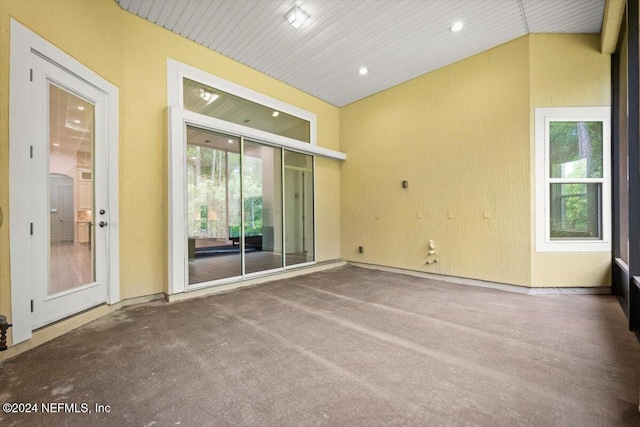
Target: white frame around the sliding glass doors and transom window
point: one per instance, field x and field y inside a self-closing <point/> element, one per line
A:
<point x="179" y="119"/>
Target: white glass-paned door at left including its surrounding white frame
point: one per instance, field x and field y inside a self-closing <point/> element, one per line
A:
<point x="63" y="128"/>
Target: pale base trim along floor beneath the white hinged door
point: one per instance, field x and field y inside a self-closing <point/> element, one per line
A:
<point x="61" y="327"/>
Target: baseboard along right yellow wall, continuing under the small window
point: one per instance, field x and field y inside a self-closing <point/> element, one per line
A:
<point x="599" y="290"/>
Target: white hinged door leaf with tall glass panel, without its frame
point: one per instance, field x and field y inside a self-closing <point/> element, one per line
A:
<point x="68" y="133"/>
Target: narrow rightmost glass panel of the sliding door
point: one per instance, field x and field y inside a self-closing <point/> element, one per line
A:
<point x="299" y="220"/>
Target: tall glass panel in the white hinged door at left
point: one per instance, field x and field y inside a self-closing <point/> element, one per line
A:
<point x="71" y="191"/>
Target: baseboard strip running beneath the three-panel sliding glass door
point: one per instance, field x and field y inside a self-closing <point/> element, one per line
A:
<point x="321" y="266"/>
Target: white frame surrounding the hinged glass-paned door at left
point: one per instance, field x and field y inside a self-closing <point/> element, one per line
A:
<point x="25" y="46"/>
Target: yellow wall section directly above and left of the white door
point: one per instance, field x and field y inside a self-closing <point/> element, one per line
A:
<point x="77" y="28"/>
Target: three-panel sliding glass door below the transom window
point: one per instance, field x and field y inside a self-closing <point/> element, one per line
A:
<point x="249" y="207"/>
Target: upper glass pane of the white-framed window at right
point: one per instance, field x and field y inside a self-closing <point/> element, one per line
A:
<point x="575" y="149"/>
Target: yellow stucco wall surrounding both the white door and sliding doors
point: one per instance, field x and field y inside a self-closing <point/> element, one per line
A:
<point x="131" y="53"/>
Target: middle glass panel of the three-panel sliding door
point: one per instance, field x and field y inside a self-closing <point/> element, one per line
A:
<point x="262" y="188"/>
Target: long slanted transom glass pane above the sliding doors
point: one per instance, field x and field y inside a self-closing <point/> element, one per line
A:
<point x="213" y="102"/>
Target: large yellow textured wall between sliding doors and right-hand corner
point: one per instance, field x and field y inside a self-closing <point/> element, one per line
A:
<point x="460" y="137"/>
